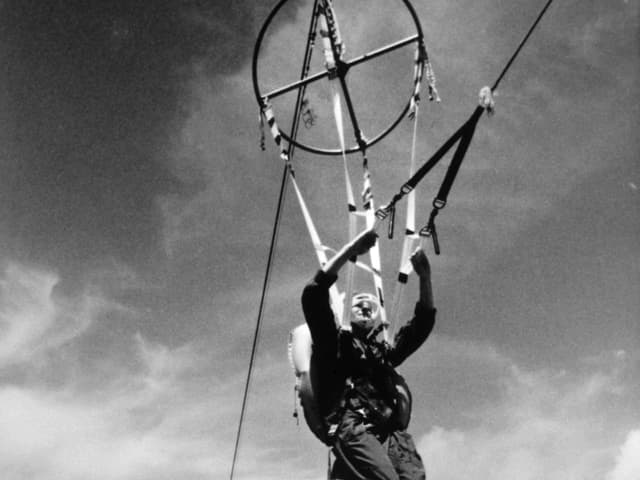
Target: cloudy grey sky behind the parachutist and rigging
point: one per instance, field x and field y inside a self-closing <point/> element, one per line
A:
<point x="137" y="208"/>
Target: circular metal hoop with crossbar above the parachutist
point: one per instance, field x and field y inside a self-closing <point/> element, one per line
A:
<point x="362" y="144"/>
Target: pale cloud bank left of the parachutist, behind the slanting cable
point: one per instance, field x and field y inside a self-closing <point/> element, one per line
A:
<point x="137" y="409"/>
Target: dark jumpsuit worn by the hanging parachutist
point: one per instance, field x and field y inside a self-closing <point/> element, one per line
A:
<point x="356" y="391"/>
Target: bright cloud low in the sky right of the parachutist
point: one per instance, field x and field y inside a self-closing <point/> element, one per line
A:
<point x="544" y="424"/>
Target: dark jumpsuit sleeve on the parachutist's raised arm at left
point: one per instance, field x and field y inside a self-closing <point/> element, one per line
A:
<point x="318" y="313"/>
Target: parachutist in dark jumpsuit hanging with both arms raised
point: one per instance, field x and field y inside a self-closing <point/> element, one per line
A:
<point x="358" y="388"/>
